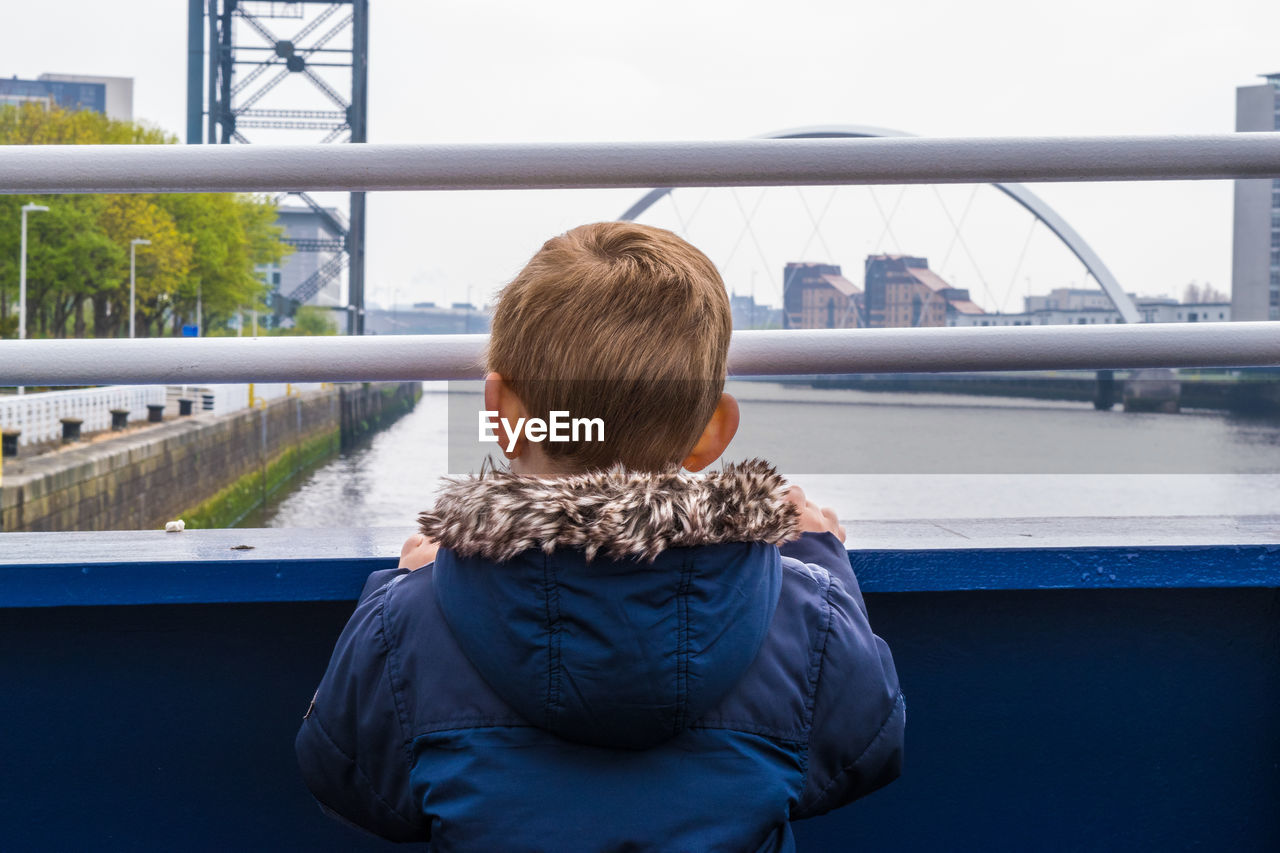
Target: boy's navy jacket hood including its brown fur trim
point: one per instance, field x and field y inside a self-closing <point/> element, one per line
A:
<point x="616" y="608"/>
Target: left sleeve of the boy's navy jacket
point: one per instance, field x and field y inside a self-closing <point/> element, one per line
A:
<point x="354" y="745"/>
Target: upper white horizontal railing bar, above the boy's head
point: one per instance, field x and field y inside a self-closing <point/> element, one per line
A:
<point x="372" y="167"/>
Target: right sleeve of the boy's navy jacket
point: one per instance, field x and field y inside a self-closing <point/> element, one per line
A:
<point x="856" y="742"/>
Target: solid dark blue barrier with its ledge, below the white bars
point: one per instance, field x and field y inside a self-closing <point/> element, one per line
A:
<point x="1089" y="685"/>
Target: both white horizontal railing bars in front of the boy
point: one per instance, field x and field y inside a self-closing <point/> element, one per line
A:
<point x="33" y="170"/>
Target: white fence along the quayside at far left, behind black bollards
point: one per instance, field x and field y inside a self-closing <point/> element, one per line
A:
<point x="39" y="416"/>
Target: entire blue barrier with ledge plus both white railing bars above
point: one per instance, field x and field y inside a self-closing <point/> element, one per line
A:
<point x="1092" y="685"/>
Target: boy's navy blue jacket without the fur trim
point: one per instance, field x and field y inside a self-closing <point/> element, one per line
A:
<point x="551" y="704"/>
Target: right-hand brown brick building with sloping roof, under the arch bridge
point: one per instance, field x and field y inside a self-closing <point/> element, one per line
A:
<point x="904" y="293"/>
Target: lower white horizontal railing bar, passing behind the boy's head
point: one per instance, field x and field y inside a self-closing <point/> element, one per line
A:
<point x="764" y="353"/>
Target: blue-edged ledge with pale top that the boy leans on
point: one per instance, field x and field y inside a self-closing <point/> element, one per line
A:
<point x="276" y="565"/>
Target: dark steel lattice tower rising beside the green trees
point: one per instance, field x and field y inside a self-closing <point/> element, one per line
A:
<point x="236" y="60"/>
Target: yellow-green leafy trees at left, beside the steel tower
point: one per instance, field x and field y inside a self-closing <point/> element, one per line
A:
<point x="203" y="245"/>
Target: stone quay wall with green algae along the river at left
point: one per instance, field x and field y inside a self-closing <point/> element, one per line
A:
<point x="208" y="471"/>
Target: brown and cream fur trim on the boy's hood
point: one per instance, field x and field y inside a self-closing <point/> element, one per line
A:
<point x="618" y="513"/>
